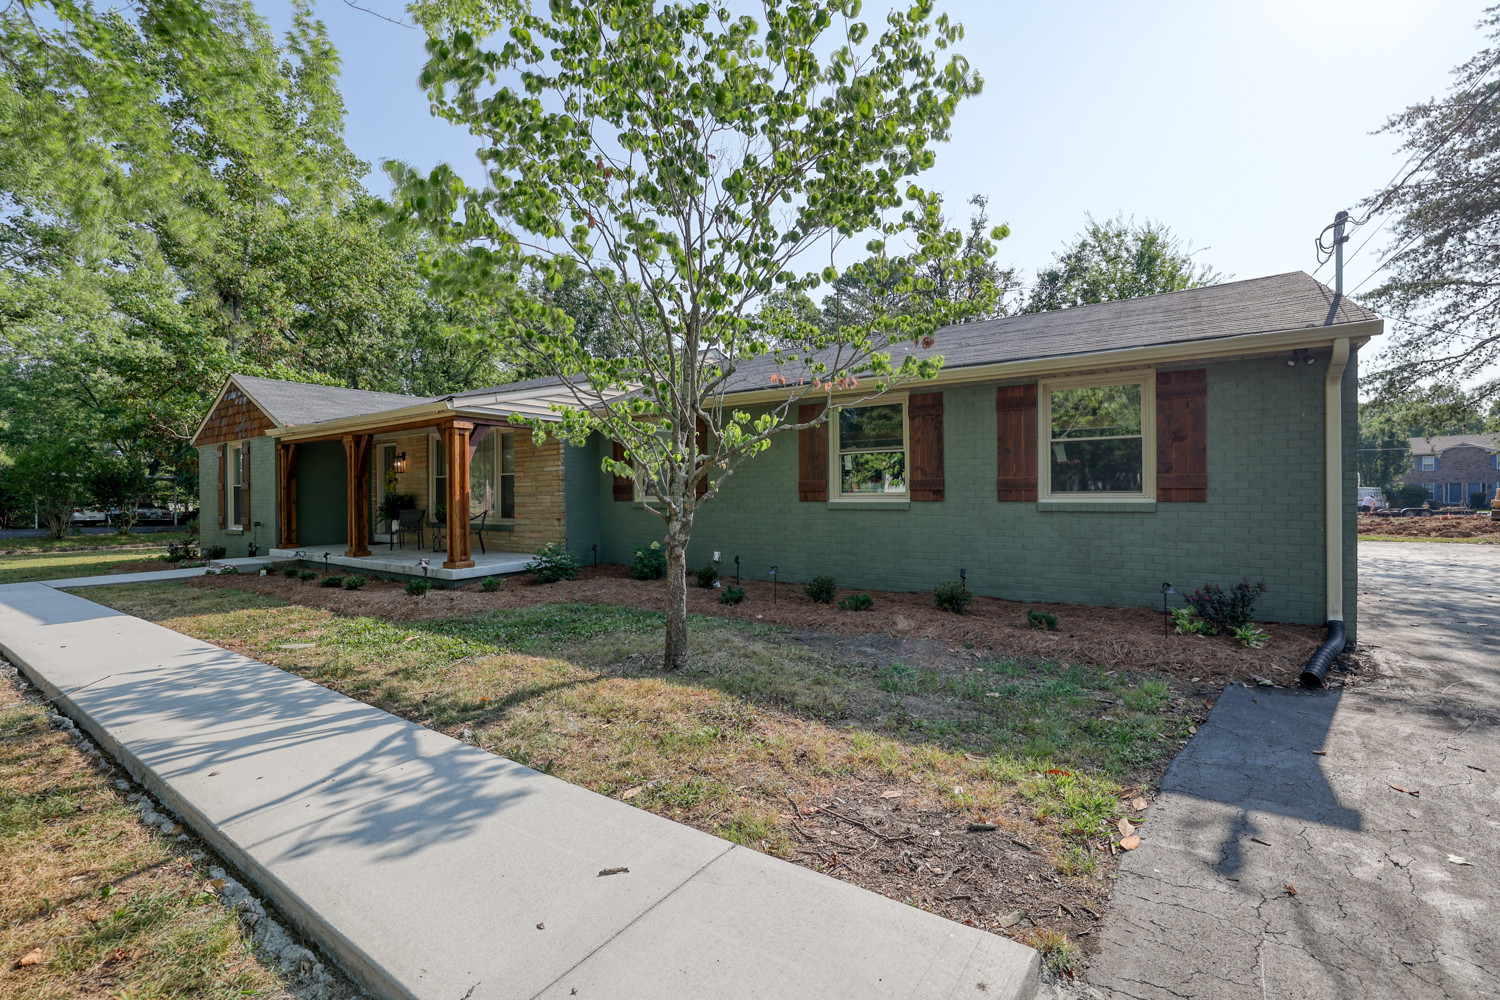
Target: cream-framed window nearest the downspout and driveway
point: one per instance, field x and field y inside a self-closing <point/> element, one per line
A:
<point x="1096" y="439"/>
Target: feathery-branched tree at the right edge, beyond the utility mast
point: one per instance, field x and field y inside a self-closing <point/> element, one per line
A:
<point x="1444" y="289"/>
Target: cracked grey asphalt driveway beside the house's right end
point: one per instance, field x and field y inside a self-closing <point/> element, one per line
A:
<point x="1288" y="791"/>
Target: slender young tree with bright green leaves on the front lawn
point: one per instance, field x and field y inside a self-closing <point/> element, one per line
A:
<point x="686" y="163"/>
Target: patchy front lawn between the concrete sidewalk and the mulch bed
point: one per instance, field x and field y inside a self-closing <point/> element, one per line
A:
<point x="757" y="720"/>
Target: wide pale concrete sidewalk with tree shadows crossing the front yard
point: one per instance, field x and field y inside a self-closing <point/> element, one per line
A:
<point x="430" y="869"/>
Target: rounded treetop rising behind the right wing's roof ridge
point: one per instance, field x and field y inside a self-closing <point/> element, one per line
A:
<point x="1118" y="259"/>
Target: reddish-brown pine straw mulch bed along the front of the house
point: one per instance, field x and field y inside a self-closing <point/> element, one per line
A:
<point x="1112" y="638"/>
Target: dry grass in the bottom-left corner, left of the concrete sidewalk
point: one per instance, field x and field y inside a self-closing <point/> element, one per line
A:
<point x="116" y="909"/>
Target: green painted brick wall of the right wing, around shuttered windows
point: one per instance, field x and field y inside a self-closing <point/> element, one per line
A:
<point x="1264" y="518"/>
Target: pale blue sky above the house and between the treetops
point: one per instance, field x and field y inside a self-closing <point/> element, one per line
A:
<point x="1244" y="127"/>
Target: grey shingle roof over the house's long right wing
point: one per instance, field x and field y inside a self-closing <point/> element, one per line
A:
<point x="1262" y="305"/>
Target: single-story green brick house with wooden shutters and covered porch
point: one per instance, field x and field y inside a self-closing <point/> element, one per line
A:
<point x="1087" y="455"/>
